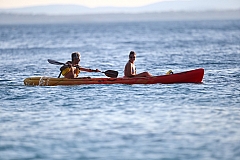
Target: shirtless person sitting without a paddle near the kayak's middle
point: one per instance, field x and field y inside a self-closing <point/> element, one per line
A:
<point x="130" y="69"/>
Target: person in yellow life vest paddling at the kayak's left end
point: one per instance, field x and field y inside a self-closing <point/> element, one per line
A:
<point x="72" y="68"/>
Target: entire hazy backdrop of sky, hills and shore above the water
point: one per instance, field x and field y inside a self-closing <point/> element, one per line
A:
<point x="45" y="12"/>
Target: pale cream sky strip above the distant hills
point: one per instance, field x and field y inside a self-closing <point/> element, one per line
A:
<point x="87" y="3"/>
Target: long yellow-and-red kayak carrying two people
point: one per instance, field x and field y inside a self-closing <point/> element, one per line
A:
<point x="191" y="76"/>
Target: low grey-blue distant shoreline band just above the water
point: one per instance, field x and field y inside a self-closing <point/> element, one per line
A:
<point x="9" y="18"/>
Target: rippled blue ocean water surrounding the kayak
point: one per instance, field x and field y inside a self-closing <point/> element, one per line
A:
<point x="106" y="122"/>
